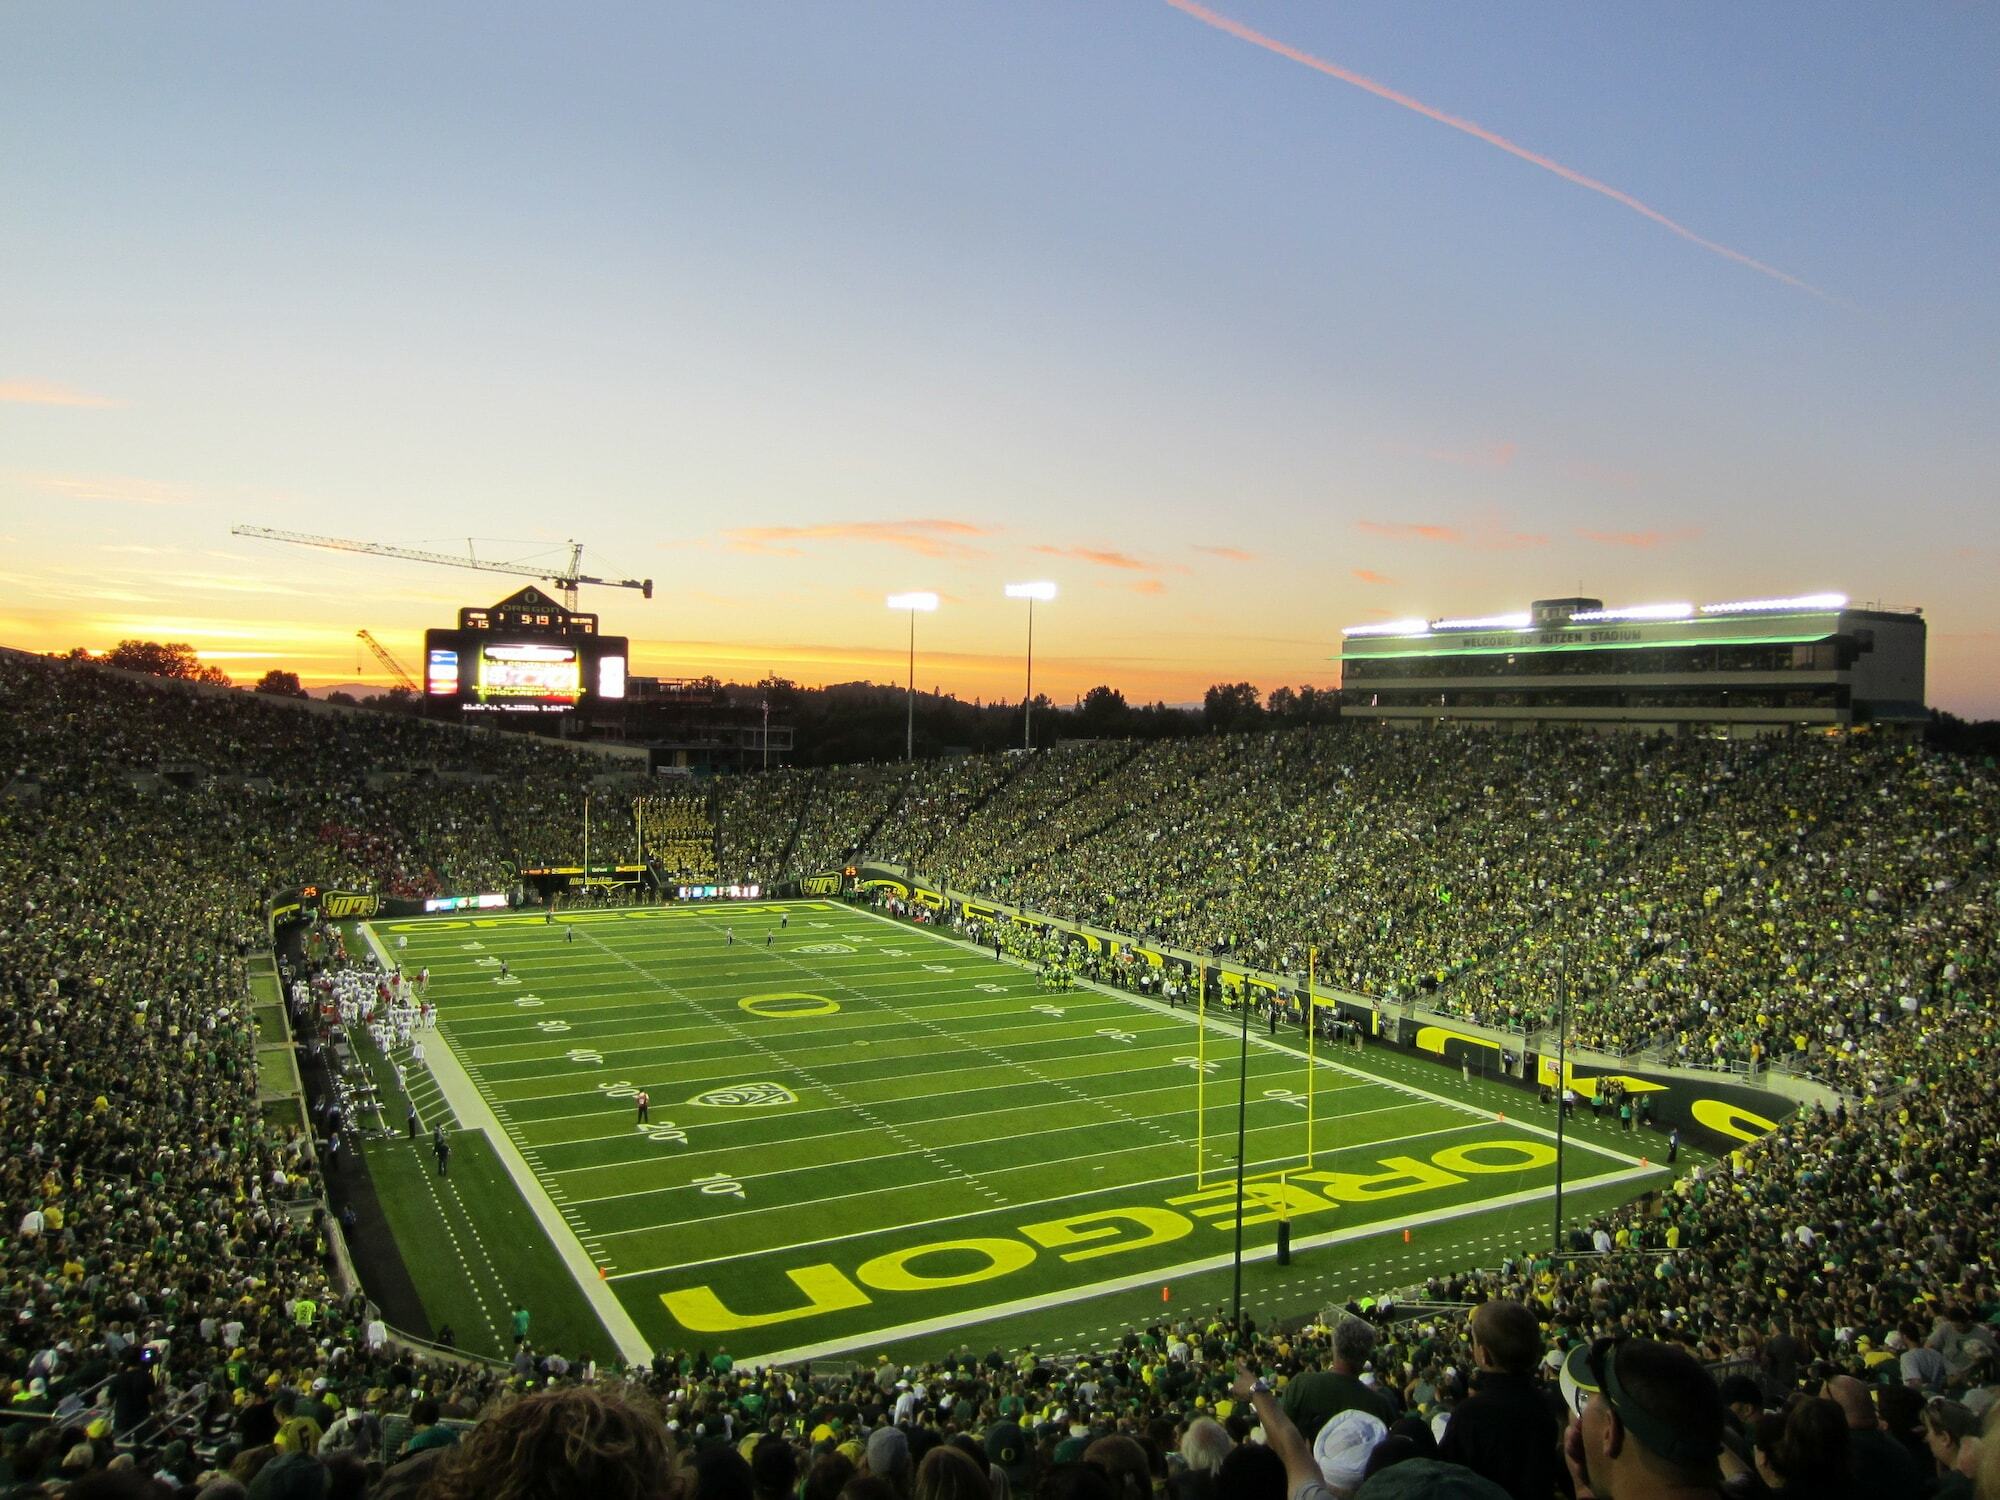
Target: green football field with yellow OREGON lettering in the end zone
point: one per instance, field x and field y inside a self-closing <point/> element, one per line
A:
<point x="865" y="1135"/>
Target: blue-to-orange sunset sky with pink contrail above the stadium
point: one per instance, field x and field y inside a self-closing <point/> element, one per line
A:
<point x="1239" y="325"/>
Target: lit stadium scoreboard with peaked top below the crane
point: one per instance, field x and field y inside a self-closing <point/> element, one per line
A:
<point x="527" y="655"/>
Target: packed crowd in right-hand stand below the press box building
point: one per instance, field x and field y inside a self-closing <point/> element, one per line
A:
<point x="1807" y="903"/>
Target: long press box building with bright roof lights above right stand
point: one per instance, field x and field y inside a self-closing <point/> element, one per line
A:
<point x="1753" y="667"/>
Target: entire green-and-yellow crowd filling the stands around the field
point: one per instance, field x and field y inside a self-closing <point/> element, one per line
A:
<point x="173" y="1319"/>
